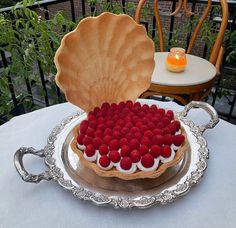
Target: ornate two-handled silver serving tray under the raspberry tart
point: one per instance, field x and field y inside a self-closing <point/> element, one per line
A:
<point x="65" y="168"/>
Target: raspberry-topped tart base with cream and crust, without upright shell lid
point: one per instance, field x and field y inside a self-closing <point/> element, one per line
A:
<point x="129" y="140"/>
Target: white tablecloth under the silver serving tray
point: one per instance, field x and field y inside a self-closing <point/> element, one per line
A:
<point x="210" y="204"/>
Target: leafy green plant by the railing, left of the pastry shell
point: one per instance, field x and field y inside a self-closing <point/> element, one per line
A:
<point x="31" y="41"/>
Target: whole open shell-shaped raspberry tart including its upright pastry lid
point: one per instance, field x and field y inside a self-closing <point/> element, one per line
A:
<point x="103" y="66"/>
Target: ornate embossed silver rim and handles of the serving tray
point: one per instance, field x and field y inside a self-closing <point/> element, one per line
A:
<point x="168" y="195"/>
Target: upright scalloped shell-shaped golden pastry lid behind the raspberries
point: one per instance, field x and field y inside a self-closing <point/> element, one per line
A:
<point x="106" y="58"/>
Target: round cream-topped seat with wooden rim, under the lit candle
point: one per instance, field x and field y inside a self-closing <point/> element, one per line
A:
<point x="196" y="81"/>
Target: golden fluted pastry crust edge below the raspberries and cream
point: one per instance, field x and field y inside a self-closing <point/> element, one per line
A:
<point x="136" y="175"/>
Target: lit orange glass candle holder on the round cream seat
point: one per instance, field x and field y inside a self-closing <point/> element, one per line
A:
<point x="176" y="60"/>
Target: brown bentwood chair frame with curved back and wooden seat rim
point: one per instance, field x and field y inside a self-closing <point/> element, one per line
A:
<point x="195" y="92"/>
